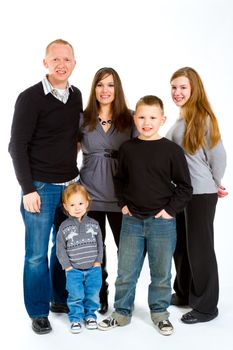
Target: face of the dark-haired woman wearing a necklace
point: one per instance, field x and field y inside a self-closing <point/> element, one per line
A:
<point x="105" y="90"/>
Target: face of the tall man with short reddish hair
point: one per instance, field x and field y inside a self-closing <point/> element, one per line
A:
<point x="60" y="63"/>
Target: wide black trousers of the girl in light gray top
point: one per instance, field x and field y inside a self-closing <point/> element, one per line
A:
<point x="196" y="267"/>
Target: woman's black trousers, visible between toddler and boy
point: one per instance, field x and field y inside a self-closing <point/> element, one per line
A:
<point x="114" y="219"/>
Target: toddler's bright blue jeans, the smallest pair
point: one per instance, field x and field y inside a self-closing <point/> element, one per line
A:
<point x="83" y="293"/>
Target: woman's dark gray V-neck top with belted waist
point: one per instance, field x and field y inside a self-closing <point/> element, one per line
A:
<point x="99" y="166"/>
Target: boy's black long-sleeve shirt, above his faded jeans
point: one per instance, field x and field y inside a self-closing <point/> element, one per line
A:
<point x="152" y="175"/>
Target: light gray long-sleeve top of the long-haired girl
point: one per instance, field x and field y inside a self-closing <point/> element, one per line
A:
<point x="206" y="166"/>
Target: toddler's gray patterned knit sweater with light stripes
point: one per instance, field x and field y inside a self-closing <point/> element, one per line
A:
<point x="79" y="244"/>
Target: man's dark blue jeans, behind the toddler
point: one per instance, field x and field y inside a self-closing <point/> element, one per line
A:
<point x="42" y="284"/>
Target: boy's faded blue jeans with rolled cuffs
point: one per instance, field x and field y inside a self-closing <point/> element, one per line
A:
<point x="157" y="237"/>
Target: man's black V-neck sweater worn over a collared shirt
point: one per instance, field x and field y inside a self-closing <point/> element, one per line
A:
<point x="44" y="135"/>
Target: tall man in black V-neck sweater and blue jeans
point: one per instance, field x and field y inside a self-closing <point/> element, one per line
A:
<point x="43" y="147"/>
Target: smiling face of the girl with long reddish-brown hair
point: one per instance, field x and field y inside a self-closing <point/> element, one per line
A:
<point x="180" y="90"/>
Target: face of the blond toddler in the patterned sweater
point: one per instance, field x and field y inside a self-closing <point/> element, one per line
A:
<point x="76" y="205"/>
